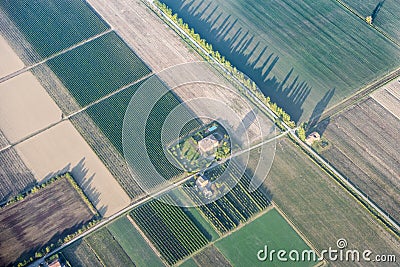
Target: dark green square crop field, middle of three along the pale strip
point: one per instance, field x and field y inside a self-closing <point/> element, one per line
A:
<point x="98" y="68"/>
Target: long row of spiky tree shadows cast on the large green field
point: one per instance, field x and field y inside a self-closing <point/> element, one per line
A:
<point x="245" y="51"/>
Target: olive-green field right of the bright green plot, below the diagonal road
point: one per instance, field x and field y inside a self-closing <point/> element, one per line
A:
<point x="320" y="208"/>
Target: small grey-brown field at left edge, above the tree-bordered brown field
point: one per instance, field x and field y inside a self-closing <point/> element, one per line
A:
<point x="15" y="177"/>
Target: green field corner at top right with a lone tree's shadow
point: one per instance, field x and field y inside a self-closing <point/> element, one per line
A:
<point x="383" y="12"/>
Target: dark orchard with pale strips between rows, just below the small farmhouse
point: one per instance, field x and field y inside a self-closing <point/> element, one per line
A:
<point x="237" y="206"/>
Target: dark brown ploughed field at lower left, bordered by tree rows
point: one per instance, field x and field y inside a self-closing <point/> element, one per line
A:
<point x="40" y="219"/>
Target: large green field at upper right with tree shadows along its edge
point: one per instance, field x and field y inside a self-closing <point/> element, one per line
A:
<point x="306" y="58"/>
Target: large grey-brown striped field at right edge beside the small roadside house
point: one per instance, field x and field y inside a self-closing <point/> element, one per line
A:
<point x="364" y="147"/>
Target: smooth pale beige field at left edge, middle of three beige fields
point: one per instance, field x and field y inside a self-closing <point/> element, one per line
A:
<point x="25" y="107"/>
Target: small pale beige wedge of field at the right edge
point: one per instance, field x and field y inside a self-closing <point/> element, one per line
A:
<point x="389" y="97"/>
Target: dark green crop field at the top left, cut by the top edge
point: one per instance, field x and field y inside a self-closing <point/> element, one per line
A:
<point x="53" y="25"/>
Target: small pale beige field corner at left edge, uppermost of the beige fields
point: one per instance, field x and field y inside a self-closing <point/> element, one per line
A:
<point x="10" y="62"/>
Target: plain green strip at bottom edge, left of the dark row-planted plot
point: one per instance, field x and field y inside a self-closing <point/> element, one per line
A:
<point x="133" y="243"/>
